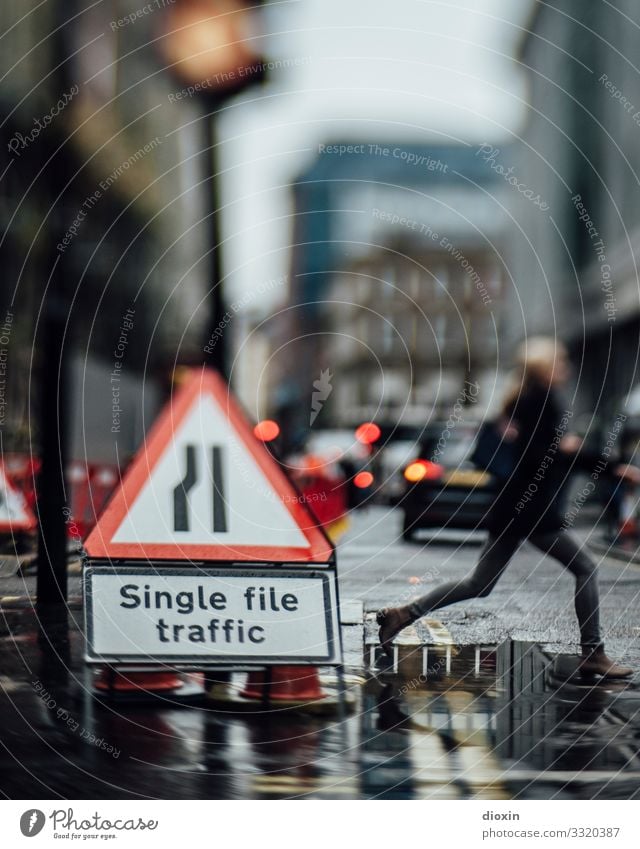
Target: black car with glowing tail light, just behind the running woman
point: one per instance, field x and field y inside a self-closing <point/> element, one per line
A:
<point x="443" y="489"/>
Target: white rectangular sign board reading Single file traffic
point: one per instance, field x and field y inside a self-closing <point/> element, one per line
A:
<point x="211" y="616"/>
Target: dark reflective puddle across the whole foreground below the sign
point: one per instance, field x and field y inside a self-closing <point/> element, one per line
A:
<point x="490" y="722"/>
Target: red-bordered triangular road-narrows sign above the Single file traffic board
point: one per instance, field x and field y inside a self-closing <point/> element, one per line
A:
<point x="202" y="487"/>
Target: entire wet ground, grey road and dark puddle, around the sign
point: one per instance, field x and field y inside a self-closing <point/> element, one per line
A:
<point x="482" y="701"/>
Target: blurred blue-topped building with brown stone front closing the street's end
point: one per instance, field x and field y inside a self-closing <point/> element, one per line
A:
<point x="397" y="284"/>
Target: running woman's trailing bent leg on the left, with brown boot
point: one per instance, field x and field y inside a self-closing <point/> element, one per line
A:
<point x="494" y="558"/>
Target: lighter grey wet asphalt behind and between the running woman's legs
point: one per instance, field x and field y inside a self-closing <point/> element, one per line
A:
<point x="533" y="600"/>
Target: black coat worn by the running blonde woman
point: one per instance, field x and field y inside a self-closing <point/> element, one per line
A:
<point x="531" y="499"/>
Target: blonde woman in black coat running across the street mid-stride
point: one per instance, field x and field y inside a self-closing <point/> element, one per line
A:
<point x="528" y="506"/>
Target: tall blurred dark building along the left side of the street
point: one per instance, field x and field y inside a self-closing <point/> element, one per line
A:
<point x="102" y="178"/>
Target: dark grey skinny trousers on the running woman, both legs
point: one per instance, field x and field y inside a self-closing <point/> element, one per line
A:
<point x="495" y="556"/>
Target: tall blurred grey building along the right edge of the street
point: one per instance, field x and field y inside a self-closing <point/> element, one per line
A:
<point x="575" y="263"/>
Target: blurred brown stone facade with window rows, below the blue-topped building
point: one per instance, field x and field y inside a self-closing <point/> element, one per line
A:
<point x="412" y="330"/>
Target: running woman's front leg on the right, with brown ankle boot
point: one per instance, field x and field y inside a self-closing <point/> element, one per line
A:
<point x="568" y="551"/>
